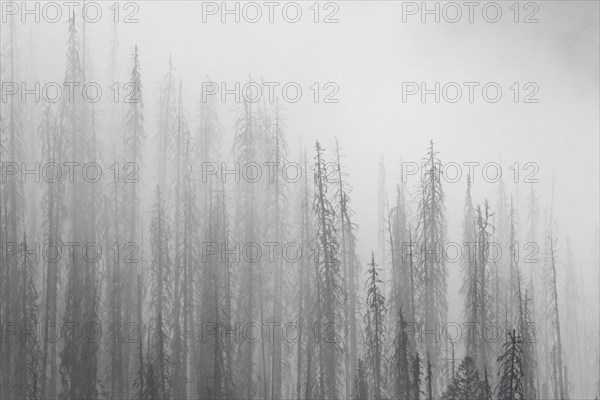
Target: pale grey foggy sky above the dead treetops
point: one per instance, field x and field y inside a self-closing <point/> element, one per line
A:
<point x="369" y="53"/>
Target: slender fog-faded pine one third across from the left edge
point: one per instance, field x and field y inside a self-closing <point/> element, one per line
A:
<point x="214" y="220"/>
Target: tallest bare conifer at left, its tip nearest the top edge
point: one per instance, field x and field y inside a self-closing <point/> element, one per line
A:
<point x="78" y="365"/>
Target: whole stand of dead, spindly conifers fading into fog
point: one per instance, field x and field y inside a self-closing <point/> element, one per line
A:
<point x="172" y="311"/>
